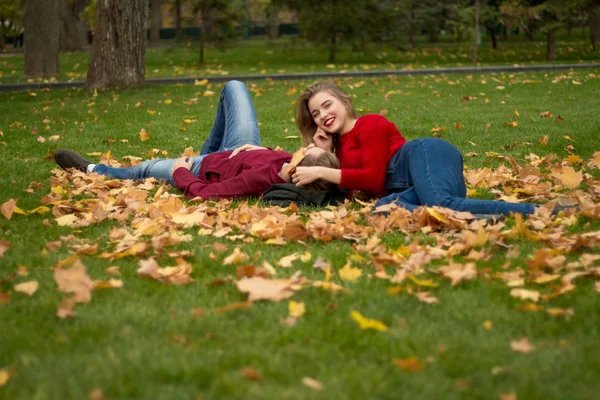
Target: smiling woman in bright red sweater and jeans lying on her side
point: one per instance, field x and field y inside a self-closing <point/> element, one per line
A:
<point x="375" y="157"/>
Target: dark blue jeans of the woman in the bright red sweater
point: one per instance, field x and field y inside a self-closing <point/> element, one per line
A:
<point x="429" y="172"/>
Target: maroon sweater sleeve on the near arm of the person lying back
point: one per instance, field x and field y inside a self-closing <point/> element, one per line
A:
<point x="250" y="182"/>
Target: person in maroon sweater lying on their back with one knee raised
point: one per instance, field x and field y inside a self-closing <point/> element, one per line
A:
<point x="225" y="167"/>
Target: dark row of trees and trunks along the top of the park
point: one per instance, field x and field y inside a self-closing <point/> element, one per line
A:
<point x="119" y="27"/>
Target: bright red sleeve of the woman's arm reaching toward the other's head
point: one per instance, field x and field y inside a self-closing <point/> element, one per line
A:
<point x="374" y="147"/>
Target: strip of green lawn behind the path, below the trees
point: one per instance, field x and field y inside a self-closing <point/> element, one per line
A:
<point x="256" y="57"/>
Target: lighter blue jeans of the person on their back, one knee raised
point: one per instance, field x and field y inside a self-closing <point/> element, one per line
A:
<point x="235" y="125"/>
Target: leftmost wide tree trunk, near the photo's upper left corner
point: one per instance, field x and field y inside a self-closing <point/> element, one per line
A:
<point x="43" y="29"/>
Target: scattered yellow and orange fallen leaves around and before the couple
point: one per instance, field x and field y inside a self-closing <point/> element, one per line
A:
<point x="154" y="224"/>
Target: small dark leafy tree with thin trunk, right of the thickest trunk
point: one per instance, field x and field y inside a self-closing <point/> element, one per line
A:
<point x="217" y="22"/>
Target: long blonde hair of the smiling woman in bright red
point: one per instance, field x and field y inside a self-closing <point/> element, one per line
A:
<point x="304" y="120"/>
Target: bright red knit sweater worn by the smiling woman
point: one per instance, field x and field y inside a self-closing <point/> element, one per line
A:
<point x="365" y="152"/>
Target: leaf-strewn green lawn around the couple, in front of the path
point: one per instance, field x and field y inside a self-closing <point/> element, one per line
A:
<point x="142" y="341"/>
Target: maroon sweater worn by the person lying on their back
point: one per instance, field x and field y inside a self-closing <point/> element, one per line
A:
<point x="249" y="173"/>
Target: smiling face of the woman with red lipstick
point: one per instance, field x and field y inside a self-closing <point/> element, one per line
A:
<point x="329" y="113"/>
